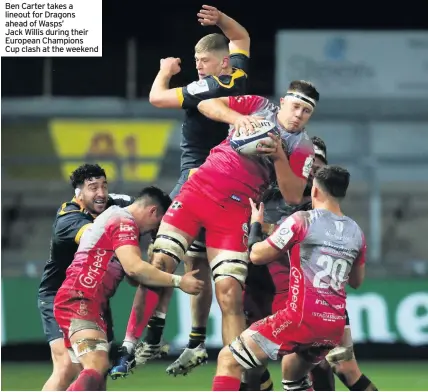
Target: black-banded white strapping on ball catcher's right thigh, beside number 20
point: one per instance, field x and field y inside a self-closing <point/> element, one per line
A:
<point x="230" y="264"/>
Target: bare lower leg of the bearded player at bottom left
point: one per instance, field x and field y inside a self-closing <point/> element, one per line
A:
<point x="64" y="370"/>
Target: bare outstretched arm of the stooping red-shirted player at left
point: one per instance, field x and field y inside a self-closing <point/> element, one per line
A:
<point x="146" y="274"/>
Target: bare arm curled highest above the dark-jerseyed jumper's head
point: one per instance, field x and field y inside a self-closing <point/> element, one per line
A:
<point x="237" y="34"/>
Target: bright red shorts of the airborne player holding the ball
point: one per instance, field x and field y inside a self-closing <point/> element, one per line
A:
<point x="225" y="222"/>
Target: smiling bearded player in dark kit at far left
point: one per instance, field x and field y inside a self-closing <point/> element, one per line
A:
<point x="72" y="219"/>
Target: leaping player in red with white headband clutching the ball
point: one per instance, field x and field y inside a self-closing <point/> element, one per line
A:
<point x="216" y="196"/>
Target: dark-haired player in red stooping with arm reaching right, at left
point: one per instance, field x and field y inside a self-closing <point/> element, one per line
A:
<point x="108" y="251"/>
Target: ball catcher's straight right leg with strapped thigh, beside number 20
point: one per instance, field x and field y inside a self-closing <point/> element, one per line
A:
<point x="229" y="271"/>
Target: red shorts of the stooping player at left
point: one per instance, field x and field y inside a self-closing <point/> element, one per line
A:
<point x="73" y="312"/>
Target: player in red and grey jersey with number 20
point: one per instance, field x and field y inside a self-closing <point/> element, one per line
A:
<point x="327" y="250"/>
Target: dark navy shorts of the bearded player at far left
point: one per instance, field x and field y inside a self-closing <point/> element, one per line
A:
<point x="51" y="328"/>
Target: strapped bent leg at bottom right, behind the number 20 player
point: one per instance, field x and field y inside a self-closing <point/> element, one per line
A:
<point x="345" y="366"/>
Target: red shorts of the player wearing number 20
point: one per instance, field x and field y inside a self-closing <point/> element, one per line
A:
<point x="283" y="334"/>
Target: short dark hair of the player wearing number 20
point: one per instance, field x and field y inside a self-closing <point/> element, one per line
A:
<point x="334" y="180"/>
